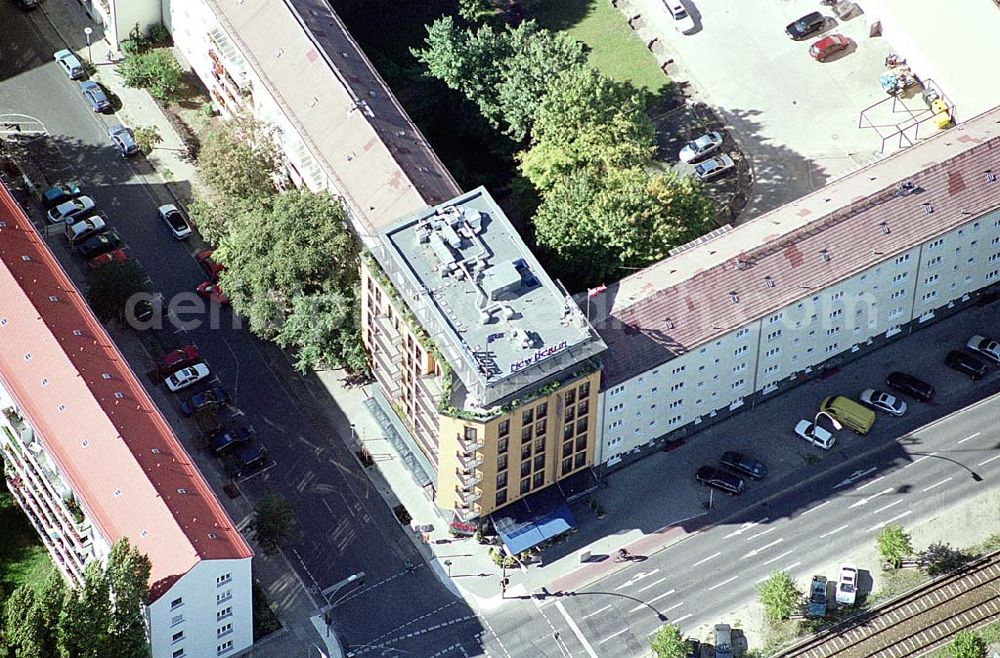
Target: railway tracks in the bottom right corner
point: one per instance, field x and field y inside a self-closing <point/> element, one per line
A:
<point x="916" y="622"/>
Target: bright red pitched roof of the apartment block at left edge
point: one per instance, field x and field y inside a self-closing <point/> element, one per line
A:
<point x="95" y="419"/>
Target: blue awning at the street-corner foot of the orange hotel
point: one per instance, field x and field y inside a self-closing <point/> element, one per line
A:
<point x="533" y="520"/>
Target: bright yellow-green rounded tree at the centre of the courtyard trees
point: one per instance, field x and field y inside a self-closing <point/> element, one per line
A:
<point x="587" y="120"/>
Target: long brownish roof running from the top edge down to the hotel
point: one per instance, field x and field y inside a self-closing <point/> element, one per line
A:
<point x="381" y="164"/>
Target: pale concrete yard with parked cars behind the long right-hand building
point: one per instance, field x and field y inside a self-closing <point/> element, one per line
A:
<point x="794" y="118"/>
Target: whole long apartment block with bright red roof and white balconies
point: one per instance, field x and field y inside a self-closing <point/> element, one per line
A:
<point x="90" y="459"/>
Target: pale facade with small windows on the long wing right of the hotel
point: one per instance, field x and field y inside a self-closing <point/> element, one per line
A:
<point x="909" y="287"/>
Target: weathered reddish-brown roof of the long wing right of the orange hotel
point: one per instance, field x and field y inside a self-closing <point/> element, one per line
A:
<point x="687" y="299"/>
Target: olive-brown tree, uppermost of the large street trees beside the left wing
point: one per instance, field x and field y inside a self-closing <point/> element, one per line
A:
<point x="240" y="158"/>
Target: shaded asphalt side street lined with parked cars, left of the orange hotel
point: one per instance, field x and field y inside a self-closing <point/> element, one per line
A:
<point x="345" y="526"/>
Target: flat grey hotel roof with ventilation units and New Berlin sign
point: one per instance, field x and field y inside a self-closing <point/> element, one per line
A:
<point x="498" y="319"/>
